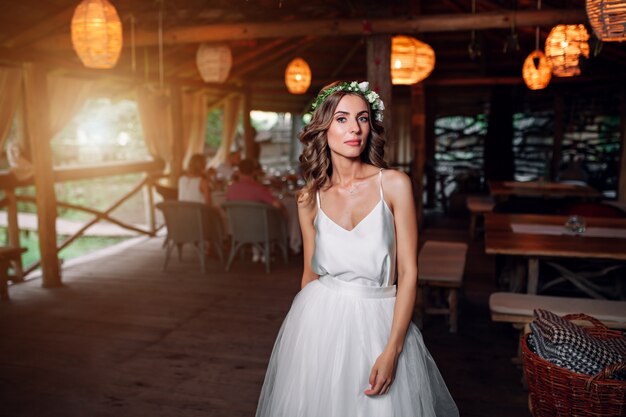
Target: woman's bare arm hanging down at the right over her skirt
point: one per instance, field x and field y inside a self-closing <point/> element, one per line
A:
<point x="399" y="193"/>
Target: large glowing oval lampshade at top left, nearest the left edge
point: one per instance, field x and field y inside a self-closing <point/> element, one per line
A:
<point x="97" y="33"/>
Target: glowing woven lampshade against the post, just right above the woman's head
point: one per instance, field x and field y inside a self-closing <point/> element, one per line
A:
<point x="411" y="60"/>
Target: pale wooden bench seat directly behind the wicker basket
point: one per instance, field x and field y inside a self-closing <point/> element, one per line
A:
<point x="517" y="309"/>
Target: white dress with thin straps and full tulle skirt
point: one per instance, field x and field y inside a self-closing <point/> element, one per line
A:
<point x="337" y="327"/>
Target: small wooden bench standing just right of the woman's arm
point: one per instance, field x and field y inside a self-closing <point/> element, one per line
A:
<point x="441" y="265"/>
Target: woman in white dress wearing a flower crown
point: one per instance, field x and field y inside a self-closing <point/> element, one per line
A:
<point x="347" y="347"/>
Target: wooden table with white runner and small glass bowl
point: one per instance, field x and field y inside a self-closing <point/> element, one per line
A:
<point x="500" y="239"/>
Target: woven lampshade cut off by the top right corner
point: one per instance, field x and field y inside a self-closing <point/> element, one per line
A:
<point x="608" y="19"/>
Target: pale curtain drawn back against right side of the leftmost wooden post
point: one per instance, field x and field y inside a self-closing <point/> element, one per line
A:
<point x="66" y="96"/>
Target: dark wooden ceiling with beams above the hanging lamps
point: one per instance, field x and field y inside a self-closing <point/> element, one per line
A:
<point x="264" y="35"/>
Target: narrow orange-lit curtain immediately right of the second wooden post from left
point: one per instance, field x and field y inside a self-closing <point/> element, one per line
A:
<point x="194" y="122"/>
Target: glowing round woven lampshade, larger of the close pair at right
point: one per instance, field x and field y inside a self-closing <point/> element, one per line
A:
<point x="564" y="46"/>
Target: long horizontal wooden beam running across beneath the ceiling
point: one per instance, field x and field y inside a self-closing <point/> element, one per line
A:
<point x="346" y="27"/>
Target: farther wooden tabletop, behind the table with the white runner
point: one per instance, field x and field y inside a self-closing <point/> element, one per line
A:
<point x="503" y="189"/>
